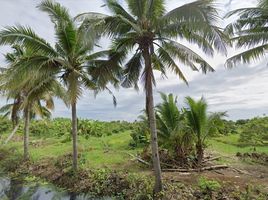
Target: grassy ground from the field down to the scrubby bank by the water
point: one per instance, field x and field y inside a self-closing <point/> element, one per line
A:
<point x="106" y="169"/>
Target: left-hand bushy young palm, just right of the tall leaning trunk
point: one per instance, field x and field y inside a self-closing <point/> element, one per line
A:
<point x="171" y="126"/>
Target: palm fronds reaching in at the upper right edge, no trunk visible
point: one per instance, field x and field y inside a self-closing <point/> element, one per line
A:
<point x="249" y="31"/>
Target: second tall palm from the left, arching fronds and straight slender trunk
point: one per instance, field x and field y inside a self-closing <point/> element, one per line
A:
<point x="69" y="59"/>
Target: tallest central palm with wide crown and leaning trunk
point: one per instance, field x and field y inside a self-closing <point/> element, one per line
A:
<point x="150" y="34"/>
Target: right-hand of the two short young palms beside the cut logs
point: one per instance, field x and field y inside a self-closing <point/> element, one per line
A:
<point x="201" y="123"/>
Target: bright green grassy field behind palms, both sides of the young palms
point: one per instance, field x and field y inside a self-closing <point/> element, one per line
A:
<point x="113" y="151"/>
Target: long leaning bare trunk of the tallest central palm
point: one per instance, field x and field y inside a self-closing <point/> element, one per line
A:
<point x="152" y="120"/>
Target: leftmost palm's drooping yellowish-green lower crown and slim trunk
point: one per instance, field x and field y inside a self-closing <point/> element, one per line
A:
<point x="32" y="92"/>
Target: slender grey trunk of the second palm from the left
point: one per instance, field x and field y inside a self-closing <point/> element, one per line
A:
<point x="74" y="134"/>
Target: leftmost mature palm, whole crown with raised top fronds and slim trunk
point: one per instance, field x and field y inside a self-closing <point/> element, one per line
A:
<point x="29" y="90"/>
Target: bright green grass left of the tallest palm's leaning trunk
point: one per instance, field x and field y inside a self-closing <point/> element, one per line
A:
<point x="109" y="151"/>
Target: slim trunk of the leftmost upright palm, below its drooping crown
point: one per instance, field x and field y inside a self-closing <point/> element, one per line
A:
<point x="26" y="132"/>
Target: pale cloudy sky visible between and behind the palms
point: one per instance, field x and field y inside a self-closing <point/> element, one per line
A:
<point x="242" y="91"/>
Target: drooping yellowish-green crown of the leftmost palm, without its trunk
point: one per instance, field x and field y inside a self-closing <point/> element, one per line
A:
<point x="27" y="91"/>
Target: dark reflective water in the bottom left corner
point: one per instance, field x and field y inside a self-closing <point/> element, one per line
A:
<point x="18" y="189"/>
